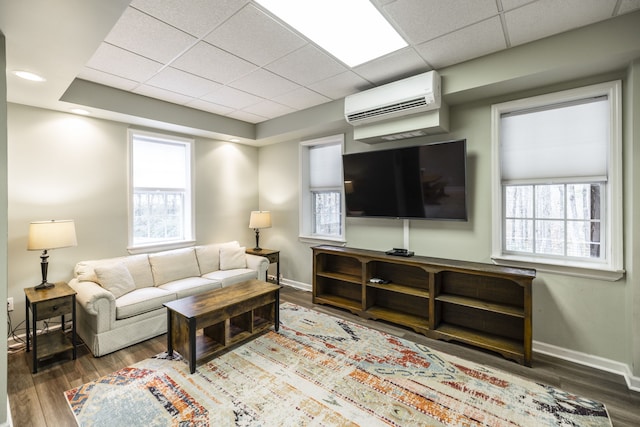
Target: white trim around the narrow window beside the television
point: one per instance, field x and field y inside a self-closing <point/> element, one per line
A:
<point x="305" y="205"/>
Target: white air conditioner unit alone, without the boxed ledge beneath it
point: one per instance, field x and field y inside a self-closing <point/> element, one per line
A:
<point x="408" y="96"/>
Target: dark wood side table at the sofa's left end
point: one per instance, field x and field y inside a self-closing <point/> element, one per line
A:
<point x="45" y="304"/>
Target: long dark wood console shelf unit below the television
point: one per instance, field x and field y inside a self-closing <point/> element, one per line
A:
<point x="483" y="305"/>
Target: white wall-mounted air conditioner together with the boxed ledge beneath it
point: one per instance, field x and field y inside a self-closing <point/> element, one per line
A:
<point x="407" y="108"/>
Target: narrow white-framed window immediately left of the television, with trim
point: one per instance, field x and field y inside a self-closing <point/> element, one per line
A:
<point x="321" y="201"/>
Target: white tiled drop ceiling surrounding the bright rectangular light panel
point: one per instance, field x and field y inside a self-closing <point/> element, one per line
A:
<point x="261" y="69"/>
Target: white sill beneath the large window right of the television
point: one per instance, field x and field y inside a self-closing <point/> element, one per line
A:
<point x="578" y="270"/>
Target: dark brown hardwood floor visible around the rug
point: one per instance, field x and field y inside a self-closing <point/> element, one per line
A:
<point x="37" y="399"/>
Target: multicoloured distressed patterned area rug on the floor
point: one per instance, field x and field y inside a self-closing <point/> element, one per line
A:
<point x="323" y="371"/>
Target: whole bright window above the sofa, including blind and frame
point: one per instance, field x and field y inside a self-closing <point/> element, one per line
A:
<point x="161" y="203"/>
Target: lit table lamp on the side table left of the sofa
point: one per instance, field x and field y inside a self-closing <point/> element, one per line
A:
<point x="47" y="235"/>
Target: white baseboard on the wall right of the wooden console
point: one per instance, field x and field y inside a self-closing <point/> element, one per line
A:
<point x="597" y="362"/>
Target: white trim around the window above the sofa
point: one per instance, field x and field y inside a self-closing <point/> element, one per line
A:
<point x="190" y="241"/>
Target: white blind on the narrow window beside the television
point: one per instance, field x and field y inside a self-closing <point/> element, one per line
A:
<point x="325" y="167"/>
